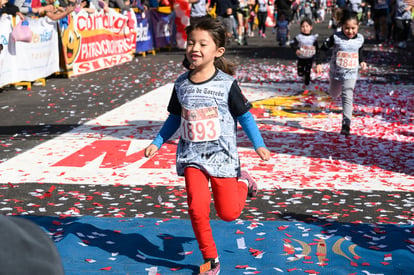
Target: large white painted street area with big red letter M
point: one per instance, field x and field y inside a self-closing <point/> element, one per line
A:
<point x="306" y="153"/>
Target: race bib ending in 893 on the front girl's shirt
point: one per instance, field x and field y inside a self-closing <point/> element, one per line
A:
<point x="200" y="124"/>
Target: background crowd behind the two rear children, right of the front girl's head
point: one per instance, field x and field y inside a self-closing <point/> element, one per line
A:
<point x="392" y="19"/>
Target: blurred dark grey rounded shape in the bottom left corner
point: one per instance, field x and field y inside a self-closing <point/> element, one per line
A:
<point x="27" y="249"/>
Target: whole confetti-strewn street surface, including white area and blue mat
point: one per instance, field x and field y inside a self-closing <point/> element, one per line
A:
<point x="324" y="202"/>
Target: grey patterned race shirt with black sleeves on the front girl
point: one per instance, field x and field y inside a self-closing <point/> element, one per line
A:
<point x="208" y="113"/>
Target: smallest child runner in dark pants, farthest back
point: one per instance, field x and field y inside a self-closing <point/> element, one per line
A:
<point x="306" y="45"/>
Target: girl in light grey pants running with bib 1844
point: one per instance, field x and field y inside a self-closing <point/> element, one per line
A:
<point x="346" y="56"/>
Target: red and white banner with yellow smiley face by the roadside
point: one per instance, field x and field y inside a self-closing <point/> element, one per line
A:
<point x="97" y="41"/>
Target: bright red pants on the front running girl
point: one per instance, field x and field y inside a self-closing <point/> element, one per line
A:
<point x="229" y="199"/>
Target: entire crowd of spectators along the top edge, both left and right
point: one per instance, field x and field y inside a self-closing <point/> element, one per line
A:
<point x="392" y="19"/>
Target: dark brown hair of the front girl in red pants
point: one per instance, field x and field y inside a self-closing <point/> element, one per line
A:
<point x="218" y="34"/>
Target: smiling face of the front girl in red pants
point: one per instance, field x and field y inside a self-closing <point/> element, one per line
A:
<point x="201" y="49"/>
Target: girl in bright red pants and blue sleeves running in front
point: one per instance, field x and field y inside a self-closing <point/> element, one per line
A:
<point x="206" y="104"/>
